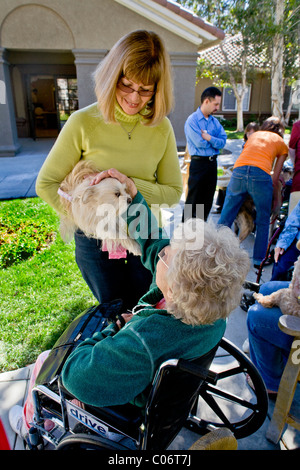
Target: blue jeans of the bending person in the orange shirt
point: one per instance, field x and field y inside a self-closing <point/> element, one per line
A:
<point x="256" y="182"/>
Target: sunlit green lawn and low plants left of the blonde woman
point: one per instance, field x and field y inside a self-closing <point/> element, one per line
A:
<point x="41" y="287"/>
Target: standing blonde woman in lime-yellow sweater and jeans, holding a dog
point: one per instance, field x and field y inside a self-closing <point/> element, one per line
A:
<point x="126" y="128"/>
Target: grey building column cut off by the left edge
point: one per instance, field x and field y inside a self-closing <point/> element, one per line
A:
<point x="9" y="144"/>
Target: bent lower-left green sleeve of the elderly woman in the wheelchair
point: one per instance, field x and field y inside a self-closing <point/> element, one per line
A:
<point x="109" y="371"/>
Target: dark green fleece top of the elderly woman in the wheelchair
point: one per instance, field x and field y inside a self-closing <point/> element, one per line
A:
<point x="115" y="367"/>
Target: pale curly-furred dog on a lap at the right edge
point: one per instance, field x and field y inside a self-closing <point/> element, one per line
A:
<point x="286" y="299"/>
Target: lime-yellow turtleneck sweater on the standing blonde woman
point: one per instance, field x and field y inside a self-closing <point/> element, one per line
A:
<point x="149" y="157"/>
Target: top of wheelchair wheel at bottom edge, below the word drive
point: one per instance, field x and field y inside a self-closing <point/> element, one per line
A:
<point x="82" y="441"/>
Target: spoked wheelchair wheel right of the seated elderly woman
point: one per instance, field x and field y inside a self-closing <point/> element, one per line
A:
<point x="231" y="402"/>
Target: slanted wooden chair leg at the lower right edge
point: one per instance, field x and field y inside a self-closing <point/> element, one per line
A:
<point x="284" y="399"/>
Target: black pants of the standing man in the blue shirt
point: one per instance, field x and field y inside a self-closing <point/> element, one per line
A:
<point x="201" y="188"/>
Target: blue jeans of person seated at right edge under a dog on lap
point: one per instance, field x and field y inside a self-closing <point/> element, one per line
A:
<point x="269" y="346"/>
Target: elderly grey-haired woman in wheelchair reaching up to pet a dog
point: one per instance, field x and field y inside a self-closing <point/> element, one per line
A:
<point x="197" y="282"/>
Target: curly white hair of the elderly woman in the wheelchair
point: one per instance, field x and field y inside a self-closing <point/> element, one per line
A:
<point x="206" y="273"/>
